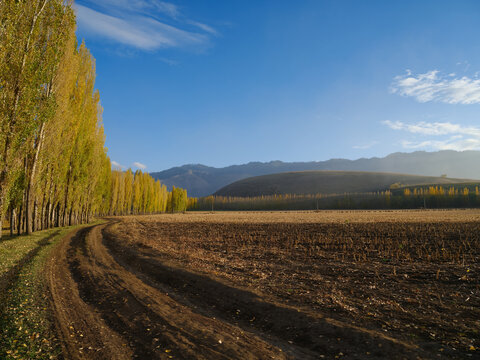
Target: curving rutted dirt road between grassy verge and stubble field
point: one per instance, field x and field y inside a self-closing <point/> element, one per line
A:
<point x="111" y="300"/>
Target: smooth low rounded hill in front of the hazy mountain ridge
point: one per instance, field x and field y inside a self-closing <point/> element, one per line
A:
<point x="325" y="182"/>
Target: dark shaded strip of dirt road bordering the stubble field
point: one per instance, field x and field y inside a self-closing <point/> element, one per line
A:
<point x="300" y="333"/>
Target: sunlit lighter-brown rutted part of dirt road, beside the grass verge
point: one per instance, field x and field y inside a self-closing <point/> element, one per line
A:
<point x="103" y="311"/>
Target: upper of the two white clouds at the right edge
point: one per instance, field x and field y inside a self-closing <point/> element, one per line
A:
<point x="433" y="86"/>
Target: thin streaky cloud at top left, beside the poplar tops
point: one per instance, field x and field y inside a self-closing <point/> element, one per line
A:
<point x="144" y="25"/>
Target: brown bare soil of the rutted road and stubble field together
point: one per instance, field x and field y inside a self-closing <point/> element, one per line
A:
<point x="159" y="287"/>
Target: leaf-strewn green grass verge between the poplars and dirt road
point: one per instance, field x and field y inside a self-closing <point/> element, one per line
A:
<point x="25" y="328"/>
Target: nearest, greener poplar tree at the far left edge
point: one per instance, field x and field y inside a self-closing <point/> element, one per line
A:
<point x="25" y="63"/>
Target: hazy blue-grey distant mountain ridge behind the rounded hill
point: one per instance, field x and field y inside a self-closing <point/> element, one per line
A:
<point x="201" y="180"/>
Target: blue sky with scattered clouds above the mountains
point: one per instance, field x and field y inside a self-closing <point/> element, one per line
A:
<point x="228" y="82"/>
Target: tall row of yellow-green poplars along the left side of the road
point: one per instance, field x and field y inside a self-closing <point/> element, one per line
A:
<point x="54" y="168"/>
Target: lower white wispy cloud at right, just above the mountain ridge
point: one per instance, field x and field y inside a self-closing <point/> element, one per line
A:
<point x="448" y="136"/>
